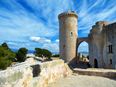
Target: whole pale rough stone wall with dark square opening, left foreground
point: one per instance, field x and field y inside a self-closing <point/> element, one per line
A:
<point x="34" y="74"/>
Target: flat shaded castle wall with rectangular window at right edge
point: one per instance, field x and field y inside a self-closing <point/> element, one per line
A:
<point x="110" y="39"/>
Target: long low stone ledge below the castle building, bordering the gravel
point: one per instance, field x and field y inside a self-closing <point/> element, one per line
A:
<point x="96" y="72"/>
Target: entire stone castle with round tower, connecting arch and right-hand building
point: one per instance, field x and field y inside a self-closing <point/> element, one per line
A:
<point x="101" y="41"/>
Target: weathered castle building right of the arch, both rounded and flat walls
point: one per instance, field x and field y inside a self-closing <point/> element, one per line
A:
<point x="101" y="36"/>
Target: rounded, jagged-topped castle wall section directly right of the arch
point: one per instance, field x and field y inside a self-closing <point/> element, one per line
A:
<point x="96" y="44"/>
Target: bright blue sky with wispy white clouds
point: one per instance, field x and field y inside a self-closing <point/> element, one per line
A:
<point x="34" y="23"/>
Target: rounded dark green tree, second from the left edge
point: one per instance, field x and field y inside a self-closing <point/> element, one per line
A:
<point x="21" y="54"/>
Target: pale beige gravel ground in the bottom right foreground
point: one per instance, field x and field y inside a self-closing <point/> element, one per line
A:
<point x="84" y="81"/>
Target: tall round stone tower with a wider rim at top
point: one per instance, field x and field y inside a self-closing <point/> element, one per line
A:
<point x="67" y="35"/>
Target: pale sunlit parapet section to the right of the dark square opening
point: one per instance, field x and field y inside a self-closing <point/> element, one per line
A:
<point x="50" y="72"/>
